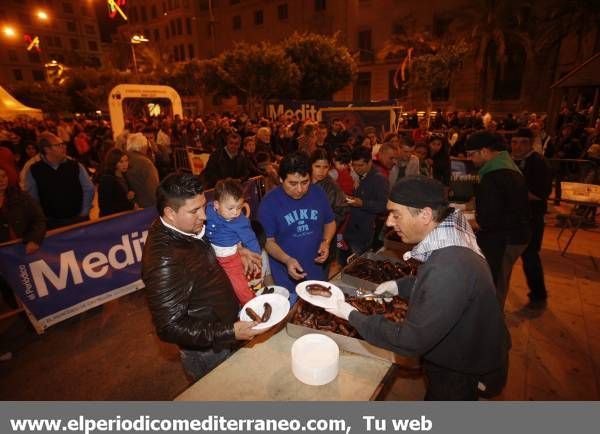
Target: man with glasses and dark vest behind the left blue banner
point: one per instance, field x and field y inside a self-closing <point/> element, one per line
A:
<point x="60" y="184"/>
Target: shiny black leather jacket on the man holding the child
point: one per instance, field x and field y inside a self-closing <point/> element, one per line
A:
<point x="190" y="297"/>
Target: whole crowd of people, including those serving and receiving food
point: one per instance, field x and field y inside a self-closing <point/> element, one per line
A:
<point x="329" y="194"/>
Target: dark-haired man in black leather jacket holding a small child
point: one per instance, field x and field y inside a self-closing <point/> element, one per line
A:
<point x="190" y="297"/>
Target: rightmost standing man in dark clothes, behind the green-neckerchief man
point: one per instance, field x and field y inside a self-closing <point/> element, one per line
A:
<point x="539" y="184"/>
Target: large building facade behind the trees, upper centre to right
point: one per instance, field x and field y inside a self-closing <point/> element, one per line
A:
<point x="183" y="30"/>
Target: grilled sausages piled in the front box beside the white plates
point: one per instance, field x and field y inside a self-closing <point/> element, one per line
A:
<point x="314" y="317"/>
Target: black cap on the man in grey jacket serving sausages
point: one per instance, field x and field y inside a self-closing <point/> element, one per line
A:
<point x="419" y="192"/>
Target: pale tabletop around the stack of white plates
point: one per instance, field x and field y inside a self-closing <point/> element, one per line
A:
<point x="262" y="371"/>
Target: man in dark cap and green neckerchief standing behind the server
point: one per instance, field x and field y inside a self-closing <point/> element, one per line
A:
<point x="501" y="205"/>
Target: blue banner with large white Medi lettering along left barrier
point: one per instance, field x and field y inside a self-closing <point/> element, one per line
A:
<point x="79" y="268"/>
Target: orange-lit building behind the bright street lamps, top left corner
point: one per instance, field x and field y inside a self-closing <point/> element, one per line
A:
<point x="67" y="32"/>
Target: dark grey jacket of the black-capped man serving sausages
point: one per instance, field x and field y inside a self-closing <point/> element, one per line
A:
<point x="453" y="319"/>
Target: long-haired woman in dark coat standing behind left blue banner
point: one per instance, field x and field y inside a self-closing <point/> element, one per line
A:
<point x="114" y="194"/>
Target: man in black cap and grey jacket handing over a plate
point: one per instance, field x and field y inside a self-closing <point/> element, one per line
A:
<point x="453" y="320"/>
